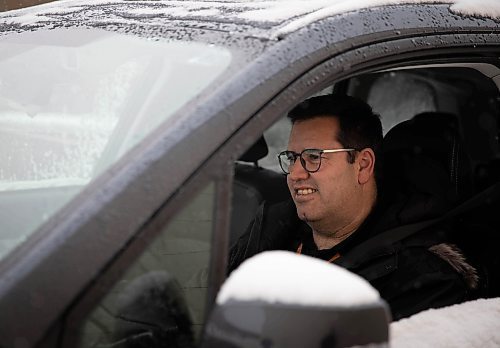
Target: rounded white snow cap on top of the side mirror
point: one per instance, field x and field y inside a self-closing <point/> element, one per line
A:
<point x="287" y="278"/>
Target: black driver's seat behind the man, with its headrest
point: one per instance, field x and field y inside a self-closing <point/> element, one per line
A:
<point x="427" y="171"/>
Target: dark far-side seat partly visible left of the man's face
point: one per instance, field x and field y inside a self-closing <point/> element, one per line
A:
<point x="253" y="185"/>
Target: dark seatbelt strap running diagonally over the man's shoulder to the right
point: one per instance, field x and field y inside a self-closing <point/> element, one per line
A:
<point x="376" y="244"/>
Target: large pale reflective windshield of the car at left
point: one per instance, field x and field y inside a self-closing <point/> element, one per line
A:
<point x="72" y="102"/>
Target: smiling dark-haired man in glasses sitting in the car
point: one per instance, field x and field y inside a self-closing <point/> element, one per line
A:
<point x="331" y="166"/>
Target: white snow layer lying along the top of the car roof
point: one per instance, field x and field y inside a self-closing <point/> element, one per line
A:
<point x="268" y="19"/>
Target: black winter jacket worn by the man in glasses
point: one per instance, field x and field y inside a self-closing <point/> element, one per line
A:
<point x="413" y="274"/>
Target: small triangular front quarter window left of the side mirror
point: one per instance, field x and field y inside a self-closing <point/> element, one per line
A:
<point x="161" y="296"/>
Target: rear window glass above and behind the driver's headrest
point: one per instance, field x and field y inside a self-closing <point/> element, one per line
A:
<point x="465" y="92"/>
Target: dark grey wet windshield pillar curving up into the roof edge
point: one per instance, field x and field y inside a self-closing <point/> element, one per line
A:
<point x="65" y="255"/>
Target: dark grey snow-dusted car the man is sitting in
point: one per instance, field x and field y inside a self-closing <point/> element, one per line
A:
<point x="138" y="138"/>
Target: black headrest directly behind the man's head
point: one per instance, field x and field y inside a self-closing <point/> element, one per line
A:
<point x="425" y="158"/>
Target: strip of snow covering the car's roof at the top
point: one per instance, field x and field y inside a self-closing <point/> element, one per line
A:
<point x="285" y="15"/>
